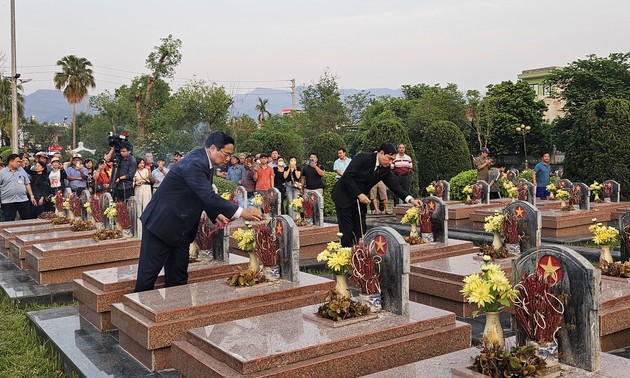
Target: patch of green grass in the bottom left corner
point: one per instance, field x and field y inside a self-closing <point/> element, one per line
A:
<point x="22" y="353"/>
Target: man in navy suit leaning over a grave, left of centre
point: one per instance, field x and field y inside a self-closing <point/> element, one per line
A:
<point x="171" y="218"/>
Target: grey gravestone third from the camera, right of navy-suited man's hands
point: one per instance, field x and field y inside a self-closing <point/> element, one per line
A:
<point x="288" y="239"/>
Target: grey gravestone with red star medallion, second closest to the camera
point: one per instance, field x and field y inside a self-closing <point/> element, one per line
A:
<point x="395" y="265"/>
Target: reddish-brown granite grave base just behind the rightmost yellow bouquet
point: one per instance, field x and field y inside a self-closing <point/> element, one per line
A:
<point x="561" y="224"/>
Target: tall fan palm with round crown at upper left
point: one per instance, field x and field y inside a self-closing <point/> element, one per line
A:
<point x="76" y="77"/>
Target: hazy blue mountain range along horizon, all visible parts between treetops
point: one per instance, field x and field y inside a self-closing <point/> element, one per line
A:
<point x="50" y="105"/>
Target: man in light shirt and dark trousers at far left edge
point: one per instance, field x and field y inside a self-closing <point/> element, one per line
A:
<point x="15" y="189"/>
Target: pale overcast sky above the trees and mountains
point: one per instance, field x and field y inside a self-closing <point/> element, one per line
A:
<point x="367" y="44"/>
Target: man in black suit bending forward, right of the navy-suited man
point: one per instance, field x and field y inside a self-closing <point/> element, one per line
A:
<point x="350" y="193"/>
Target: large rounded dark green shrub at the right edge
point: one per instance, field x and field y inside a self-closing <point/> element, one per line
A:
<point x="598" y="146"/>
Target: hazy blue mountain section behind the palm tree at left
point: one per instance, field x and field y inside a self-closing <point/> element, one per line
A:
<point x="50" y="106"/>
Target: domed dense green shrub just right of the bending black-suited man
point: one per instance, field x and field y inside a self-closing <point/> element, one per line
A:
<point x="444" y="152"/>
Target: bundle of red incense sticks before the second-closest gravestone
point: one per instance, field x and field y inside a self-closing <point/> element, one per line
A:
<point x="366" y="267"/>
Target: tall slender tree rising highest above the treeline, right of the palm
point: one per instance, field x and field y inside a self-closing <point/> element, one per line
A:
<point x="162" y="62"/>
